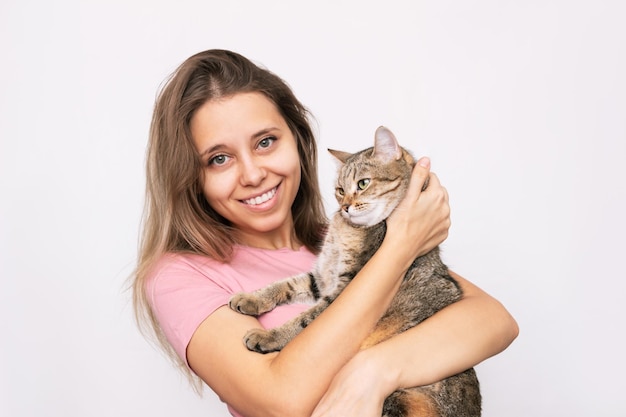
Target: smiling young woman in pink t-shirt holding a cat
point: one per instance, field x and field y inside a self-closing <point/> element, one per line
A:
<point x="232" y="204"/>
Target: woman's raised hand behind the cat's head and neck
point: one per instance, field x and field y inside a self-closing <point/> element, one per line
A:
<point x="422" y="219"/>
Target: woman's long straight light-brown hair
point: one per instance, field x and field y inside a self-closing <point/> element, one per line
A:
<point x="177" y="217"/>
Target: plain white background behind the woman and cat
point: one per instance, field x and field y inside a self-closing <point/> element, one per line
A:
<point x="520" y="104"/>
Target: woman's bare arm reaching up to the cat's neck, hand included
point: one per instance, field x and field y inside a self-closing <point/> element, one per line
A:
<point x="292" y="381"/>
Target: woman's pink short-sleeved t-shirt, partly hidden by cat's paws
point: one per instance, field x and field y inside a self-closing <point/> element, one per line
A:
<point x="185" y="289"/>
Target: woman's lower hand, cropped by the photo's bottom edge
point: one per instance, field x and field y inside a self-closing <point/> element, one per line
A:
<point x="359" y="389"/>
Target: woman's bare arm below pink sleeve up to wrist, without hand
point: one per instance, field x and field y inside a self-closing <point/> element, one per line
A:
<point x="290" y="382"/>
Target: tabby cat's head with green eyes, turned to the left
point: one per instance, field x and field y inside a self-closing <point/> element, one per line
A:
<point x="372" y="182"/>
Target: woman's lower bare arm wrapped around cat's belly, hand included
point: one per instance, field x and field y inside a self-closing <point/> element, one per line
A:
<point x="457" y="338"/>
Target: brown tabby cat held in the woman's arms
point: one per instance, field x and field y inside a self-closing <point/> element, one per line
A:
<point x="370" y="185"/>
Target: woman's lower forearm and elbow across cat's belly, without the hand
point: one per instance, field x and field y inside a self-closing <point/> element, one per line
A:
<point x="459" y="337"/>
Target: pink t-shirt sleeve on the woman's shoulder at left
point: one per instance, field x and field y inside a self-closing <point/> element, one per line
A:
<point x="182" y="296"/>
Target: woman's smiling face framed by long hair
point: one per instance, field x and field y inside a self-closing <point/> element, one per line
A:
<point x="251" y="166"/>
